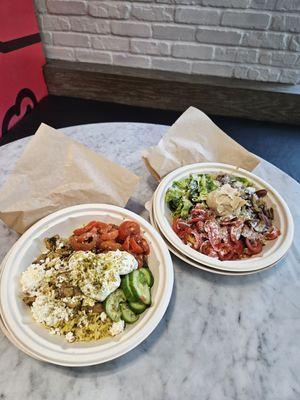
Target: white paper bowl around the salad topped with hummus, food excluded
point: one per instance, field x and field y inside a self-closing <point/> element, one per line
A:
<point x="272" y="252"/>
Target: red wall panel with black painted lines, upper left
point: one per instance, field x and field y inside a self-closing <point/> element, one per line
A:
<point x="22" y="83"/>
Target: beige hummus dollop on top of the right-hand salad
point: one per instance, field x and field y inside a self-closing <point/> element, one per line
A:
<point x="225" y="201"/>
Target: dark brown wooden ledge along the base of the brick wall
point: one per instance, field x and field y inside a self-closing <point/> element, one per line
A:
<point x="174" y="91"/>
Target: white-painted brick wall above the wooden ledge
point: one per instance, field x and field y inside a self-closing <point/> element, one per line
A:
<point x="246" y="39"/>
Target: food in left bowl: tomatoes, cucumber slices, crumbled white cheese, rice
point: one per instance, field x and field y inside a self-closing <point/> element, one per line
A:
<point x="90" y="285"/>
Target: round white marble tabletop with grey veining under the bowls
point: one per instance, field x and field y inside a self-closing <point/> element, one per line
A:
<point x="221" y="338"/>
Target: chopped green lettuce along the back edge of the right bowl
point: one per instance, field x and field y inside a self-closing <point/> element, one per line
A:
<point x="187" y="192"/>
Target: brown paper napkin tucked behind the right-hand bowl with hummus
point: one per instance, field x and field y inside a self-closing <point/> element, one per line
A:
<point x="194" y="138"/>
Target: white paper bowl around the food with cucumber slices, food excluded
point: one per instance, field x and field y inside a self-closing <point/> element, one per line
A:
<point x="56" y="350"/>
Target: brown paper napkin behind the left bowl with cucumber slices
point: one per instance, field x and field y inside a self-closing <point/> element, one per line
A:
<point x="56" y="172"/>
